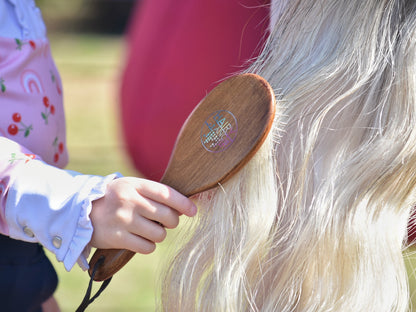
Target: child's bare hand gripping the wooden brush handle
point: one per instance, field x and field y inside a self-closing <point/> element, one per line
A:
<point x="132" y="212"/>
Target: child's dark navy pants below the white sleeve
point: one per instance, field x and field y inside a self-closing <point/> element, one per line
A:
<point x="27" y="278"/>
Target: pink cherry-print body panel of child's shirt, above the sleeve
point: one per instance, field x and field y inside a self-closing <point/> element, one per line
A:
<point x="31" y="99"/>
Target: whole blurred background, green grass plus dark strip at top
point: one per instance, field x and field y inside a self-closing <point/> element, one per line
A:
<point x="87" y="42"/>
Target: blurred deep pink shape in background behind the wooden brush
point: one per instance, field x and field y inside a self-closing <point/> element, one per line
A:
<point x="178" y="51"/>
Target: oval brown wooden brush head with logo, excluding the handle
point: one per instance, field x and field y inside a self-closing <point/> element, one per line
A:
<point x="221" y="134"/>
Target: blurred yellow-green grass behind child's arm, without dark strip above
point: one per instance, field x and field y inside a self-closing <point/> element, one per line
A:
<point x="90" y="68"/>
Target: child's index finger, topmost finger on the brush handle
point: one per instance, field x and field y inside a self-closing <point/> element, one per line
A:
<point x="165" y="195"/>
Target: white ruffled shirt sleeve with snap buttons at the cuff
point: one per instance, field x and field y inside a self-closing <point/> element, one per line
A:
<point x="49" y="205"/>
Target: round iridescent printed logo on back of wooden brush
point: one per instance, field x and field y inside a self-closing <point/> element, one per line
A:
<point x="219" y="131"/>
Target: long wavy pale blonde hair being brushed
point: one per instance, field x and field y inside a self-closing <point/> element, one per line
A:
<point x="317" y="220"/>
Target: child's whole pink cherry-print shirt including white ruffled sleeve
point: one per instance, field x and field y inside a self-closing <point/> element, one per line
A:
<point x="39" y="201"/>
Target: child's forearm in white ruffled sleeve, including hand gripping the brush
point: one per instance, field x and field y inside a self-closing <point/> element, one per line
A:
<point x="41" y="203"/>
